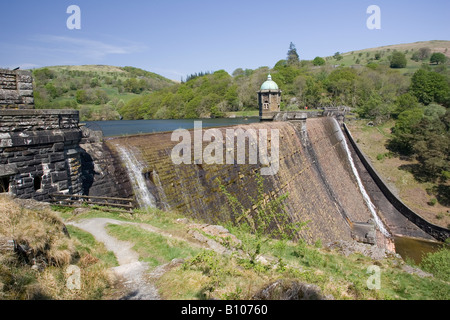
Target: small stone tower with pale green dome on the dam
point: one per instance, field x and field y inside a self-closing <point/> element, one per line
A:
<point x="269" y="99"/>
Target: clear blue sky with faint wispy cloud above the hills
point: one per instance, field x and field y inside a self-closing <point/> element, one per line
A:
<point x="175" y="38"/>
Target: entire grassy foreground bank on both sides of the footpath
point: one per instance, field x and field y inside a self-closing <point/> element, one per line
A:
<point x="205" y="274"/>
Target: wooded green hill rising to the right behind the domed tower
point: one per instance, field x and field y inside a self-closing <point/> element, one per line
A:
<point x="363" y="80"/>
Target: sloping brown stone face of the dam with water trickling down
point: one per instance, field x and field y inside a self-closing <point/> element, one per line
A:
<point x="318" y="169"/>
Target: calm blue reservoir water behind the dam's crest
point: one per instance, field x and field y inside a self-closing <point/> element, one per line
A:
<point x="127" y="127"/>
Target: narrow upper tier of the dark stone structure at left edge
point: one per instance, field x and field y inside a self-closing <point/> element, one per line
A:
<point x="16" y="89"/>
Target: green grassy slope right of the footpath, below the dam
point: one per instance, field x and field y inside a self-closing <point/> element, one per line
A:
<point x="206" y="274"/>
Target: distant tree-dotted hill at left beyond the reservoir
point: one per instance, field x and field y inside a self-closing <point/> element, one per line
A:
<point x="98" y="91"/>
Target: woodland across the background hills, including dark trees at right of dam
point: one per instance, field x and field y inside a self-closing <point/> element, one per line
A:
<point x="411" y="86"/>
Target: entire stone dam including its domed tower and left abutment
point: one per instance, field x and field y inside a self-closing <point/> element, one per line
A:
<point x="328" y="181"/>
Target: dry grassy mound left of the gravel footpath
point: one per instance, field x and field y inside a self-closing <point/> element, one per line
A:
<point x="40" y="271"/>
